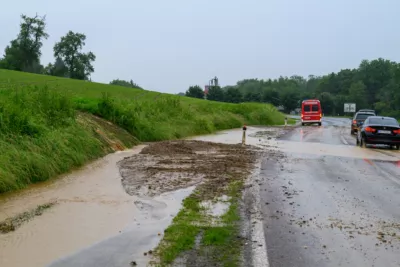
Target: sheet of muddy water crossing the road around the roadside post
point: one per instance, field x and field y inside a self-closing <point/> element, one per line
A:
<point x="305" y="140"/>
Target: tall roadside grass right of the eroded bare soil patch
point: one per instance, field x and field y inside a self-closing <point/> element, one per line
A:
<point x="170" y="117"/>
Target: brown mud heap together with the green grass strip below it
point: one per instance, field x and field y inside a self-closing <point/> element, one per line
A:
<point x="206" y="232"/>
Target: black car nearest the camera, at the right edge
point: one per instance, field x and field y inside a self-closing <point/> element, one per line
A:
<point x="379" y="130"/>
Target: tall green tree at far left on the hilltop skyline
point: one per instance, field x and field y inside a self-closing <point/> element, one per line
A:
<point x="24" y="52"/>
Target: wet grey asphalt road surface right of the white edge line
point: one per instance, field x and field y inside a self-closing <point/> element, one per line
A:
<point x="324" y="210"/>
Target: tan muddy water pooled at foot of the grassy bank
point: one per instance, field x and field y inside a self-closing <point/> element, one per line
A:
<point x="88" y="202"/>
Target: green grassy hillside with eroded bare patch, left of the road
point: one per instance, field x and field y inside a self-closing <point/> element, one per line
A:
<point x="47" y="125"/>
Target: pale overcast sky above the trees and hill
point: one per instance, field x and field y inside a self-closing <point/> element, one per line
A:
<point x="168" y="45"/>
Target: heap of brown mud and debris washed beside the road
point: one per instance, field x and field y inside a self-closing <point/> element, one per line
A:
<point x="170" y="165"/>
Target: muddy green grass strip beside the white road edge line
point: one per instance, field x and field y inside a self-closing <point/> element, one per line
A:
<point x="219" y="243"/>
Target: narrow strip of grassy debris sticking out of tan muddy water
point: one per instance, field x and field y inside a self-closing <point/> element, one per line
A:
<point x="11" y="224"/>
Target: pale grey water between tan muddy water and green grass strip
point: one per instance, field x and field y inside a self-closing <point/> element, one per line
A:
<point x="135" y="242"/>
